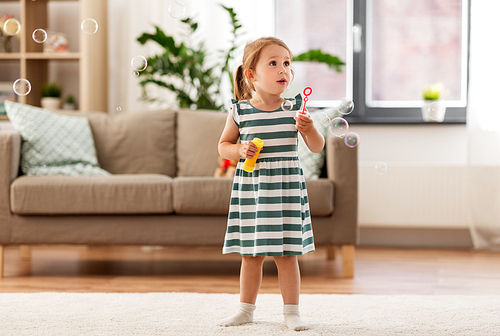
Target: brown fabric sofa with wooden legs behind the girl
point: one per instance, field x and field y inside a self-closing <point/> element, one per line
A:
<point x="161" y="191"/>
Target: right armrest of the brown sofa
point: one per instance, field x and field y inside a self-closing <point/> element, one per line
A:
<point x="342" y="169"/>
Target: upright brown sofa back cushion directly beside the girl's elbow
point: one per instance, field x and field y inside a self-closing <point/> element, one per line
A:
<point x="198" y="134"/>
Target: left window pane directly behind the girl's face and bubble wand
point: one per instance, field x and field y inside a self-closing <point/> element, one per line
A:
<point x="318" y="24"/>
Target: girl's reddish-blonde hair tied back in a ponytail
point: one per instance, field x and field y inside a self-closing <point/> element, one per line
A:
<point x="242" y="88"/>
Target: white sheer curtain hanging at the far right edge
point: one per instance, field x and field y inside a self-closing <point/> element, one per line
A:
<point x="483" y="125"/>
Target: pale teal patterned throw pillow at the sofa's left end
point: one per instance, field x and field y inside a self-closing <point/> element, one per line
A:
<point x="53" y="144"/>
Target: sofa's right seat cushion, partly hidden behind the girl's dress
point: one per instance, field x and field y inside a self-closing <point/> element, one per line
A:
<point x="211" y="196"/>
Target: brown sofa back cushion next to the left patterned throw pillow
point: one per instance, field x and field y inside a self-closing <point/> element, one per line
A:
<point x="135" y="143"/>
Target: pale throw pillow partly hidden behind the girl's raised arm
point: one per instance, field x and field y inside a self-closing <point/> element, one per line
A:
<point x="312" y="163"/>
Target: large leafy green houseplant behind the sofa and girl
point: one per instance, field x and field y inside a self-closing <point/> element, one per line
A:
<point x="182" y="67"/>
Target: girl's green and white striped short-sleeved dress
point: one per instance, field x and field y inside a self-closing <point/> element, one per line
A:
<point x="269" y="211"/>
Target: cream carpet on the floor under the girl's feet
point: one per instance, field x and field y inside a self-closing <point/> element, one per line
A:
<point x="198" y="314"/>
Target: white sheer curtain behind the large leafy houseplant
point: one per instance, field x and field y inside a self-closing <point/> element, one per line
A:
<point x="128" y="19"/>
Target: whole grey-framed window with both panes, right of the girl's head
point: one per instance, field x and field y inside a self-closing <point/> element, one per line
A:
<point x="392" y="49"/>
